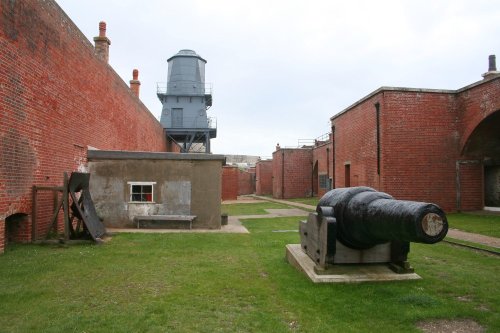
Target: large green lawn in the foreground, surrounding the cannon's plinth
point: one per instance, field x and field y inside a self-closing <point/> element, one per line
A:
<point x="230" y="283"/>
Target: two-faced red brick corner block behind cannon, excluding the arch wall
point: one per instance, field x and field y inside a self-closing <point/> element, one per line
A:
<point x="417" y="145"/>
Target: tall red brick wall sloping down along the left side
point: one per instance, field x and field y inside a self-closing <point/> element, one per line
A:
<point x="56" y="99"/>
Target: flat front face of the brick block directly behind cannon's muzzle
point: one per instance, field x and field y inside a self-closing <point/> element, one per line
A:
<point x="419" y="146"/>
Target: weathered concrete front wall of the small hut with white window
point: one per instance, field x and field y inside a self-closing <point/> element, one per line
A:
<point x="183" y="184"/>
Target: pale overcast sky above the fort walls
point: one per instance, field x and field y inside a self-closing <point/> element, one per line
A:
<point x="281" y="69"/>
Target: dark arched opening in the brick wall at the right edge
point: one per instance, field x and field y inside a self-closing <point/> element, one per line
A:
<point x="483" y="145"/>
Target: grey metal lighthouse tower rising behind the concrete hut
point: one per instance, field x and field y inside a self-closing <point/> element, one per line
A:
<point x="186" y="98"/>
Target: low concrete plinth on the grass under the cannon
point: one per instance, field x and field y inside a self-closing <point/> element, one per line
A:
<point x="343" y="273"/>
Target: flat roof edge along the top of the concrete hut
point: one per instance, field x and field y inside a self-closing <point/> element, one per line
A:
<point x="141" y="155"/>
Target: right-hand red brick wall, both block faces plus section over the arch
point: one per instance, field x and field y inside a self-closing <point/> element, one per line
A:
<point x="421" y="139"/>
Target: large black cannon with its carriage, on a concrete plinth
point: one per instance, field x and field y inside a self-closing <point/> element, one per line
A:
<point x="360" y="225"/>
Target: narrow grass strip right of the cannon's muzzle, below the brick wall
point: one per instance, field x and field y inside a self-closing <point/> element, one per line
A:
<point x="488" y="225"/>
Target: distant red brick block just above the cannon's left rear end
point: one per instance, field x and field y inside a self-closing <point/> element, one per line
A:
<point x="292" y="173"/>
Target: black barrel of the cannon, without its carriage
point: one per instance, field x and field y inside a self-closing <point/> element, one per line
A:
<point x="366" y="218"/>
